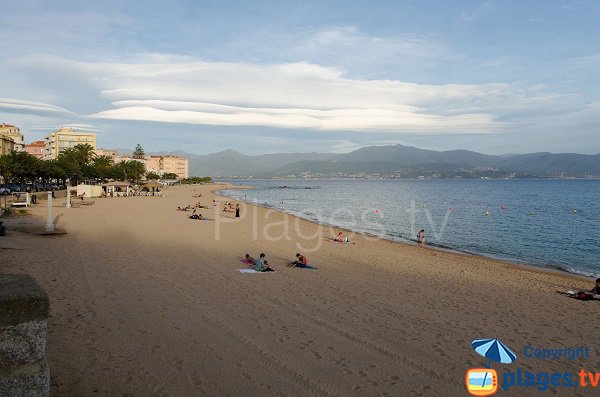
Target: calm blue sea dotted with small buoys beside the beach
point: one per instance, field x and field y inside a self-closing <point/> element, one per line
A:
<point x="548" y="223"/>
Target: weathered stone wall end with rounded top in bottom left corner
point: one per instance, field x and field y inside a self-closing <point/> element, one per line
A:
<point x="23" y="330"/>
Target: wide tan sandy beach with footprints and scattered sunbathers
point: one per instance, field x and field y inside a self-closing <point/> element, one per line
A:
<point x="146" y="302"/>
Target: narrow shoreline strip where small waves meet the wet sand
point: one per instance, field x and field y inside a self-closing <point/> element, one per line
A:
<point x="501" y="261"/>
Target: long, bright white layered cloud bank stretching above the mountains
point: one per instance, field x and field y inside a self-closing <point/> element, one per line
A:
<point x="176" y="89"/>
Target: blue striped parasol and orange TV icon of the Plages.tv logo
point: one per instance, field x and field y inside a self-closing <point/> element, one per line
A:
<point x="484" y="381"/>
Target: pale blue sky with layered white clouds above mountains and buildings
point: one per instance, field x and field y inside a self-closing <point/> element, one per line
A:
<point x="496" y="77"/>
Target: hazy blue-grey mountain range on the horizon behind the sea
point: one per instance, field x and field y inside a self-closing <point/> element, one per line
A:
<point x="397" y="161"/>
